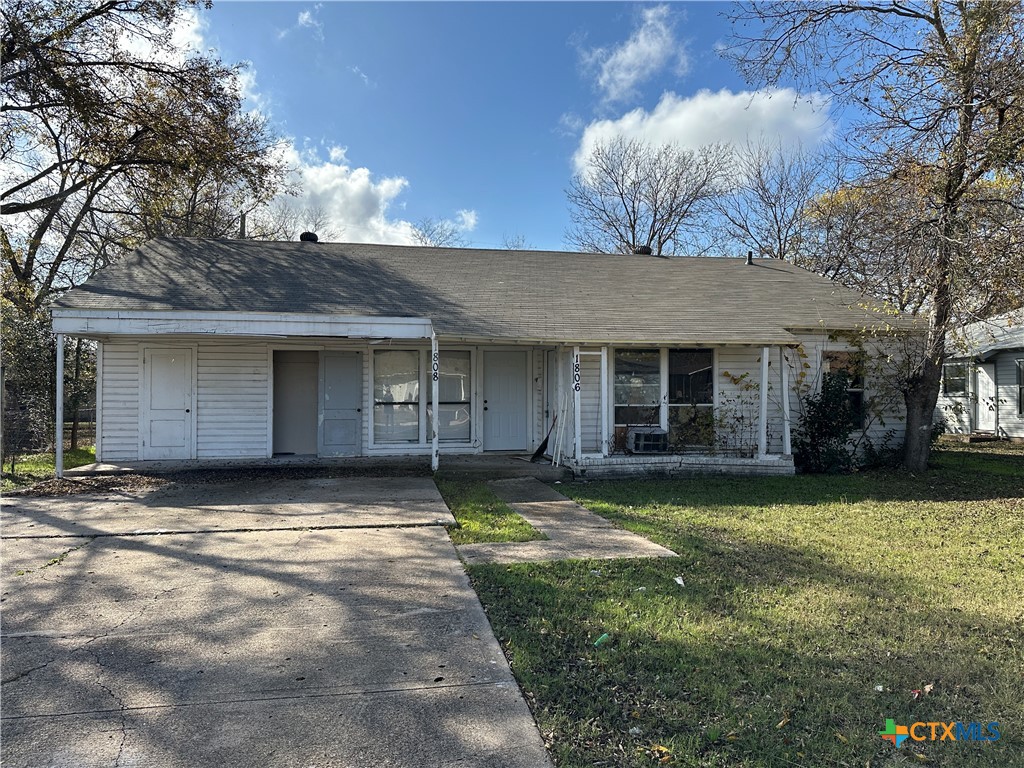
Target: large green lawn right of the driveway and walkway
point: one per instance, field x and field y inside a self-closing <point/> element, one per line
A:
<point x="812" y="610"/>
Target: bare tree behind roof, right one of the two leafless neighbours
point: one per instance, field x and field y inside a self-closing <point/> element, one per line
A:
<point x="772" y="190"/>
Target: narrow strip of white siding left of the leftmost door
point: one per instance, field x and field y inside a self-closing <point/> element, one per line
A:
<point x="119" y="402"/>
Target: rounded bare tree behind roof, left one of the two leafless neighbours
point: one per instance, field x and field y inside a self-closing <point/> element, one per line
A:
<point x="631" y="195"/>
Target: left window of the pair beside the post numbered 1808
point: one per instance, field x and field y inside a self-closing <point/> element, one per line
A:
<point x="397" y="396"/>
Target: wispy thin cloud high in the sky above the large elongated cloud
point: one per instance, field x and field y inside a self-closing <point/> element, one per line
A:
<point x="651" y="49"/>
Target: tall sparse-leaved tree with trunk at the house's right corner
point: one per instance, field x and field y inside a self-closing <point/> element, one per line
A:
<point x="941" y="89"/>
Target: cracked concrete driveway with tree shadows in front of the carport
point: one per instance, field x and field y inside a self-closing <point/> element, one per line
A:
<point x="254" y="647"/>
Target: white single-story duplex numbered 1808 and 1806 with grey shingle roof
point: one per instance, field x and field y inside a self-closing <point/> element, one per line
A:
<point x="243" y="350"/>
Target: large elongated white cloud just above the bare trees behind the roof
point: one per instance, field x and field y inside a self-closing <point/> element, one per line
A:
<point x="781" y="115"/>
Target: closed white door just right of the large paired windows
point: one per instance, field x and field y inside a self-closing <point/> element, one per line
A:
<point x="505" y="401"/>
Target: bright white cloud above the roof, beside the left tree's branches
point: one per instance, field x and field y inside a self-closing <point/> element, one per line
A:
<point x="356" y="203"/>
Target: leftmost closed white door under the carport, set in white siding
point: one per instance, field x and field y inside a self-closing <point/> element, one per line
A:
<point x="167" y="404"/>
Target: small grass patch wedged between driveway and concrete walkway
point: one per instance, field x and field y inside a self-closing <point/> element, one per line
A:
<point x="483" y="518"/>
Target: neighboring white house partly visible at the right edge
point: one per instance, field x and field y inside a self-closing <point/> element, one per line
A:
<point x="984" y="379"/>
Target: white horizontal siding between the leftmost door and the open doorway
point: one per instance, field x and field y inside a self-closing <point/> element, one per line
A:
<point x="232" y="401"/>
